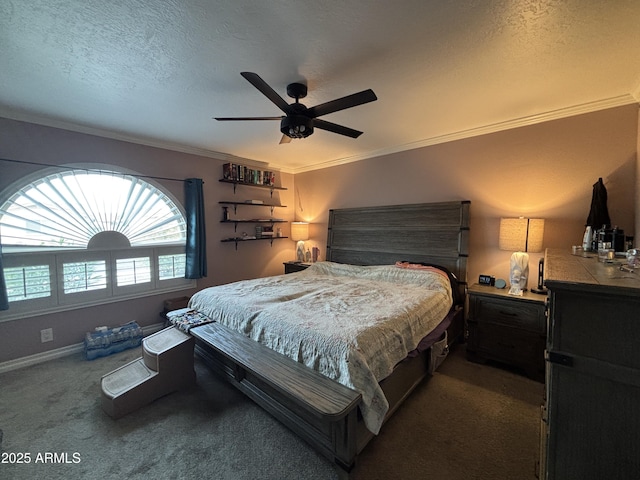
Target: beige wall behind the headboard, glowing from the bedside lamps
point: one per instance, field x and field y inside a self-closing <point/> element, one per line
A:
<point x="544" y="170"/>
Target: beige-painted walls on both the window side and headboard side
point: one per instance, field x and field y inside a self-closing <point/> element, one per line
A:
<point x="544" y="170"/>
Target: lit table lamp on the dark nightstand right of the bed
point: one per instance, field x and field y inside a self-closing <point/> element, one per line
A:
<point x="520" y="235"/>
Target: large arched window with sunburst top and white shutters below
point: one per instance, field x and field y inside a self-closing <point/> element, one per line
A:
<point x="77" y="237"/>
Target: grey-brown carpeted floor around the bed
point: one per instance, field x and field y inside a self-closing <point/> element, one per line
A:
<point x="467" y="422"/>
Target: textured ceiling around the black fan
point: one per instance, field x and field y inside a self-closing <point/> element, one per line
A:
<point x="157" y="71"/>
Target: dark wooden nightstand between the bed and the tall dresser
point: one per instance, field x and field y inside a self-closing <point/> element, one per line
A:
<point x="507" y="328"/>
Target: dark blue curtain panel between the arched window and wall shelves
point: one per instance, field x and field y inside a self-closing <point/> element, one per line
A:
<point x="196" y="238"/>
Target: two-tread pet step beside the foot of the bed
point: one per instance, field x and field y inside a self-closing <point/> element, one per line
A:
<point x="166" y="366"/>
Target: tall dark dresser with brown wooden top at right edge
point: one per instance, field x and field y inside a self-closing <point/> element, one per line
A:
<point x="590" y="426"/>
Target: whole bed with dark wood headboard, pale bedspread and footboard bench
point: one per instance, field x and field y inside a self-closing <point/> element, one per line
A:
<point x="336" y="387"/>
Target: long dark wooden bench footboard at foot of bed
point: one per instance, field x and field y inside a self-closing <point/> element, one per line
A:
<point x="319" y="410"/>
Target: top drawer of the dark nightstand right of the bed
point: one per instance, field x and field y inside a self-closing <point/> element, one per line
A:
<point x="509" y="313"/>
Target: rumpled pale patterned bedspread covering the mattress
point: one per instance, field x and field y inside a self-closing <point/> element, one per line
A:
<point x="350" y="323"/>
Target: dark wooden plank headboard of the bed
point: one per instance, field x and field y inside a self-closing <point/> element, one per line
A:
<point x="427" y="232"/>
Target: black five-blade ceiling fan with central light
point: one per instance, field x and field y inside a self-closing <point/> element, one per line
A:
<point x="299" y="121"/>
